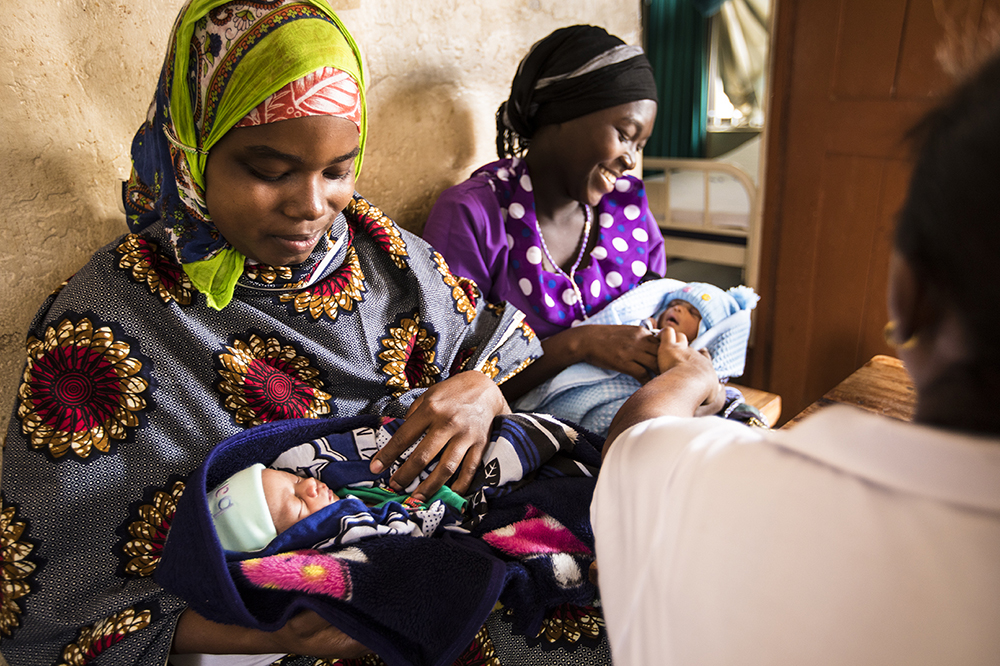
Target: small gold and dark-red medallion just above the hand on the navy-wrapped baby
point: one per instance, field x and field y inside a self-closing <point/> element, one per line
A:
<point x="409" y="352"/>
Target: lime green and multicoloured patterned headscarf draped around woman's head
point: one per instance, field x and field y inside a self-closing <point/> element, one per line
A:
<point x="224" y="59"/>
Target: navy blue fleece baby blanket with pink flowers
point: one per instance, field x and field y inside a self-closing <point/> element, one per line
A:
<point x="413" y="585"/>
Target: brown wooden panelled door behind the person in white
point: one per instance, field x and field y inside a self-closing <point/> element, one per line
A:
<point x="849" y="78"/>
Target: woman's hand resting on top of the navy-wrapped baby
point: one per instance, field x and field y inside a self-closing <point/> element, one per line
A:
<point x="455" y="417"/>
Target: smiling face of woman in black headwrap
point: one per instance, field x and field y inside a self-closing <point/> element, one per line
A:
<point x="595" y="150"/>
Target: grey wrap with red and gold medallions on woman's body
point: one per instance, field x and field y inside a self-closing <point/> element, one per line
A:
<point x="131" y="379"/>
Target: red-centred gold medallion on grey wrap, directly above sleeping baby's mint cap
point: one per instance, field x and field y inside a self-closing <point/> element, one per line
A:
<point x="266" y="380"/>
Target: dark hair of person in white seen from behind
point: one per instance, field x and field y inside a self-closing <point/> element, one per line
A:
<point x="949" y="225"/>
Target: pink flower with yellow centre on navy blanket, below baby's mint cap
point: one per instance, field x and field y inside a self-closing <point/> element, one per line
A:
<point x="304" y="571"/>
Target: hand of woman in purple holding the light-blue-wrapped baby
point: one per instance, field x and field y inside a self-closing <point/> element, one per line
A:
<point x="631" y="350"/>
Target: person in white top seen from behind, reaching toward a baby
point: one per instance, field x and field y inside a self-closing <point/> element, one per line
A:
<point x="850" y="538"/>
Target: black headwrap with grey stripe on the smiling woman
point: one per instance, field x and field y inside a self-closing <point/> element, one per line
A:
<point x="574" y="71"/>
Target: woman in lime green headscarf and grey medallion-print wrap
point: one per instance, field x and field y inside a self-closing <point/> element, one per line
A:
<point x="256" y="285"/>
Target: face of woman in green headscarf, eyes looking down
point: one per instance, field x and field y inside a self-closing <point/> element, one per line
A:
<point x="273" y="190"/>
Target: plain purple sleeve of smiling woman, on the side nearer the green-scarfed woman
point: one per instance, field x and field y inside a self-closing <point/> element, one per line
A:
<point x="466" y="227"/>
